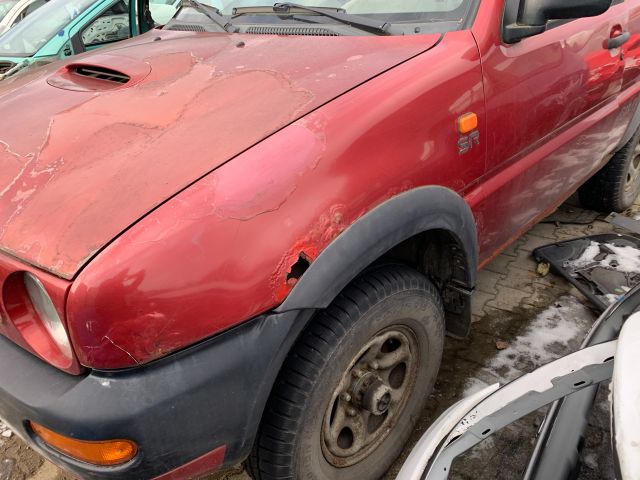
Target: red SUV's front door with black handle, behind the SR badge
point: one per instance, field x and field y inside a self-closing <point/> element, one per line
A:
<point x="552" y="115"/>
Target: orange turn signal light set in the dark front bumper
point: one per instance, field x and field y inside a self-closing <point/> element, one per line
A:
<point x="104" y="453"/>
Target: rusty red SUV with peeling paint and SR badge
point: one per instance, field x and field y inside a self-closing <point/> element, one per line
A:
<point x="245" y="235"/>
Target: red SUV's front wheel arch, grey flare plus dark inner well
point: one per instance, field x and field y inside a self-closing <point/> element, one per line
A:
<point x="430" y="228"/>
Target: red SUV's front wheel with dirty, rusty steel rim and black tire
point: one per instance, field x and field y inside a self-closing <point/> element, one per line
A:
<point x="354" y="384"/>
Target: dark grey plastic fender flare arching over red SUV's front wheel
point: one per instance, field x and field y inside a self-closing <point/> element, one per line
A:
<point x="384" y="227"/>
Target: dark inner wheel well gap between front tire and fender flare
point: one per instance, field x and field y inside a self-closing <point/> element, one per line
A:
<point x="440" y="255"/>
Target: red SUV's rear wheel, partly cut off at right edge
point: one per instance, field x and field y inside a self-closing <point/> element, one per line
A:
<point x="617" y="185"/>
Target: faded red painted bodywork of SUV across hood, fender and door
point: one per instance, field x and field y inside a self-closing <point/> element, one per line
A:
<point x="232" y="163"/>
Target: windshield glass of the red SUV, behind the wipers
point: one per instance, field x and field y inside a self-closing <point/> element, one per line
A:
<point x="393" y="10"/>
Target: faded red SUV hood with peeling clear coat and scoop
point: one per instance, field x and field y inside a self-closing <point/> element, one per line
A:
<point x="80" y="161"/>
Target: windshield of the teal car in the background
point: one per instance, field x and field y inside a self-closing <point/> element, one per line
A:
<point x="30" y="35"/>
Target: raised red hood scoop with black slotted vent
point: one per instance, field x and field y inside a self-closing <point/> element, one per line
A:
<point x="100" y="73"/>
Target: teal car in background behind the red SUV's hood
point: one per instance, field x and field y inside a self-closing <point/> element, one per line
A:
<point x="63" y="28"/>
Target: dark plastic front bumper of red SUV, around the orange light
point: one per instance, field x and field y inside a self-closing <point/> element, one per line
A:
<point x="207" y="398"/>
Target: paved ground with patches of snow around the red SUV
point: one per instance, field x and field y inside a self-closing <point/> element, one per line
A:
<point x="521" y="321"/>
